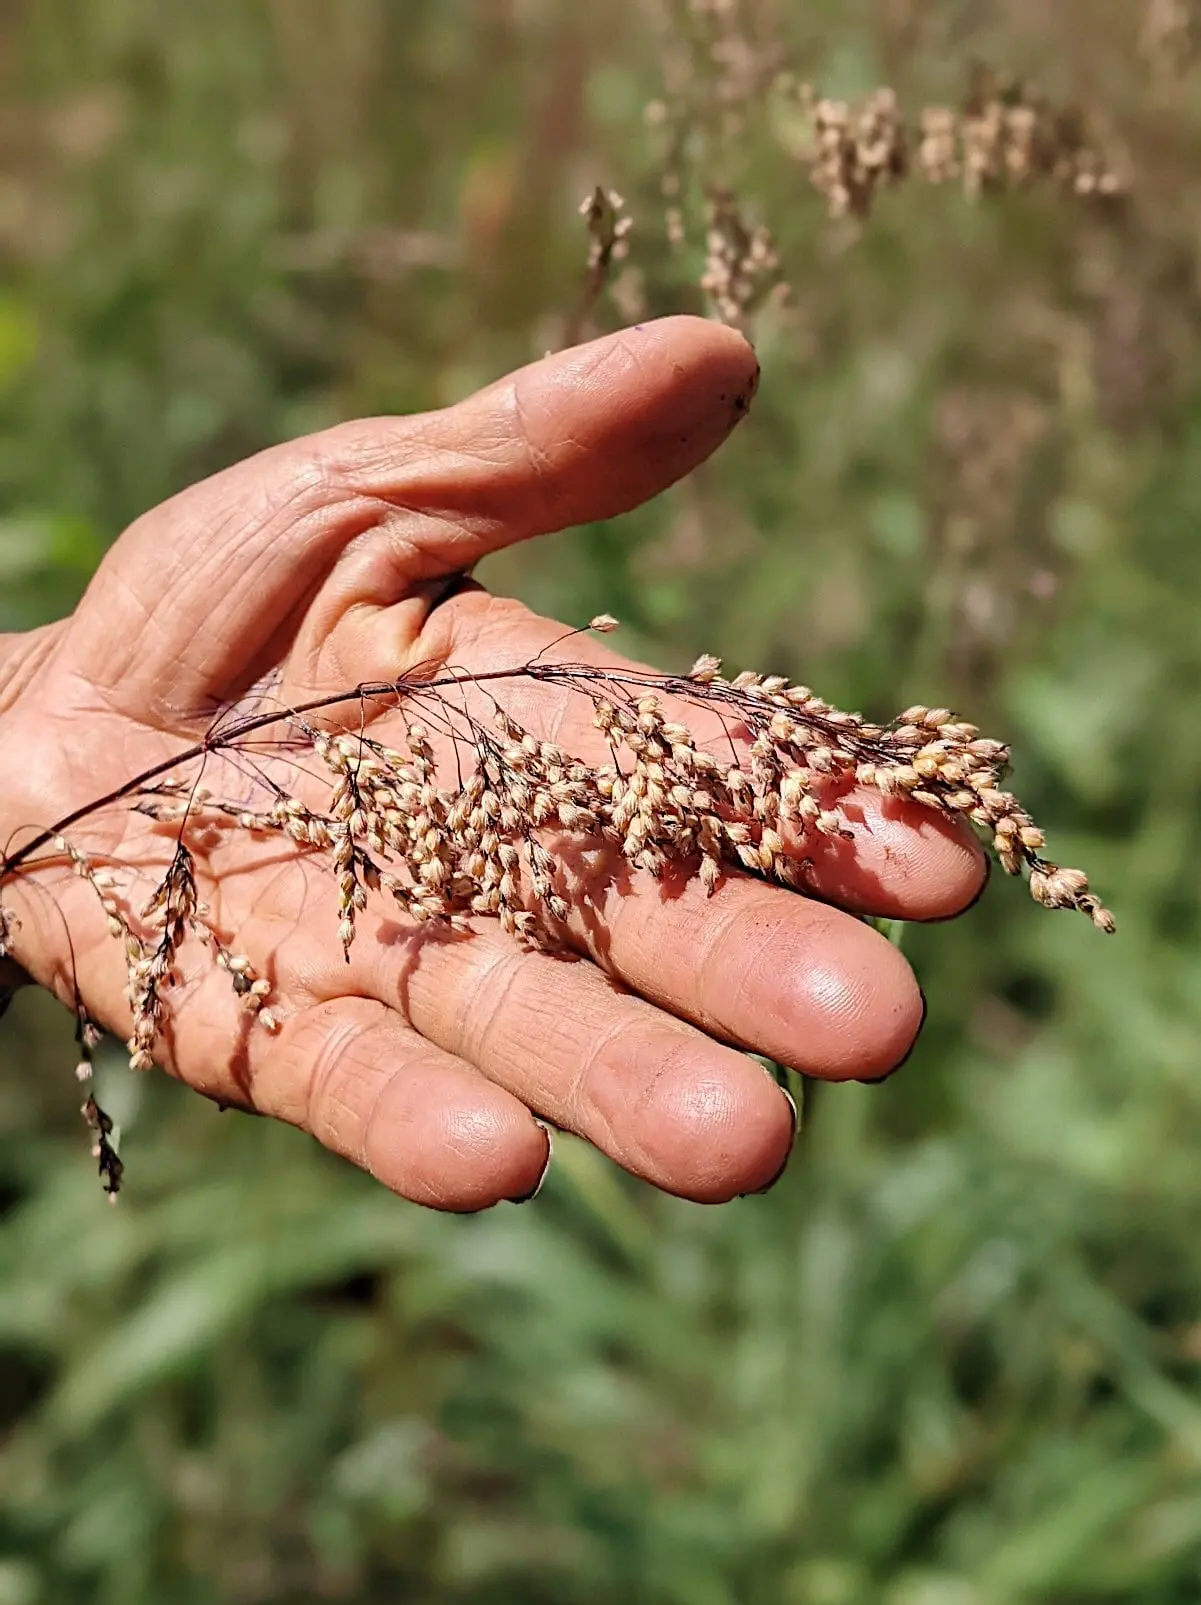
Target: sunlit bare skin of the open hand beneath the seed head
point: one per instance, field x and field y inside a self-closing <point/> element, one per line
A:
<point x="324" y="564"/>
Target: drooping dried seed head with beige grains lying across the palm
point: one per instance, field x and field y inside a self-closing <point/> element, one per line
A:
<point x="474" y="816"/>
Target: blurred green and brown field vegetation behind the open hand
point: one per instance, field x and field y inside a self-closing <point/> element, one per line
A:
<point x="955" y="1357"/>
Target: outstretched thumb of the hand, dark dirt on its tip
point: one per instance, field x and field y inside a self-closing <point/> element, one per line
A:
<point x="203" y="595"/>
